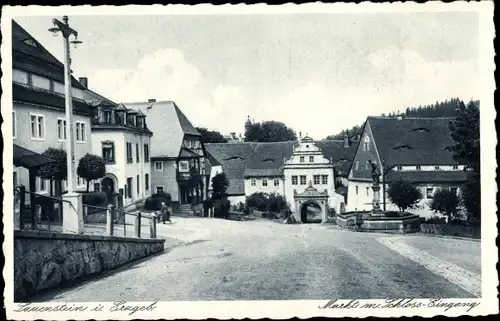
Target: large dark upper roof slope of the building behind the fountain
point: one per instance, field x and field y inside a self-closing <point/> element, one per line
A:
<point x="412" y="141"/>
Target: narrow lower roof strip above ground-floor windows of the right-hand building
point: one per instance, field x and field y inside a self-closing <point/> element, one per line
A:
<point x="428" y="176"/>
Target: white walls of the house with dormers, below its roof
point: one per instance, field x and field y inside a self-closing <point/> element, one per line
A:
<point x="131" y="172"/>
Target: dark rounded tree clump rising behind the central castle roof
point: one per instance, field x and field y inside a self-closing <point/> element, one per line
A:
<point x="269" y="131"/>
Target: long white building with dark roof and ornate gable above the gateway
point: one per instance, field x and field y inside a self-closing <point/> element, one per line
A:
<point x="284" y="168"/>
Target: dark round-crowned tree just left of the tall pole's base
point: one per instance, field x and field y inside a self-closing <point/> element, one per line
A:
<point x="57" y="171"/>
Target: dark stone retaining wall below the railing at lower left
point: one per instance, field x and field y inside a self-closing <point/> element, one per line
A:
<point x="48" y="260"/>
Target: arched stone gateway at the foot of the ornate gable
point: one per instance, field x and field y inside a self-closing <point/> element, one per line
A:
<point x="311" y="205"/>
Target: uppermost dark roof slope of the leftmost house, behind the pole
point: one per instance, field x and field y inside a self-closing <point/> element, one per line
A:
<point x="36" y="59"/>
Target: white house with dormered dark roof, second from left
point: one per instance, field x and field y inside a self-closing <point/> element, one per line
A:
<point x="121" y="136"/>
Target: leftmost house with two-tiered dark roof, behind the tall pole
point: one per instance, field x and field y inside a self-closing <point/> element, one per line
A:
<point x="38" y="113"/>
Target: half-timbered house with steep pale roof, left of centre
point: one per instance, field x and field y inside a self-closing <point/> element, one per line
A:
<point x="178" y="160"/>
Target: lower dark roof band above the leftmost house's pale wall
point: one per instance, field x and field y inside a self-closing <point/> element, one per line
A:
<point x="27" y="94"/>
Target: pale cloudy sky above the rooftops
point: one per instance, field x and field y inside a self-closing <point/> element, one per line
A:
<point x="317" y="73"/>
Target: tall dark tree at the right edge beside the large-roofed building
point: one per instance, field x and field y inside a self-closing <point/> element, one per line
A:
<point x="466" y="150"/>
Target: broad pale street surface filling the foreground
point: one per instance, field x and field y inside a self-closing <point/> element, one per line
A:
<point x="214" y="259"/>
